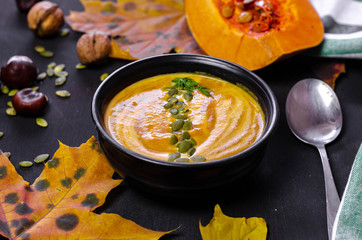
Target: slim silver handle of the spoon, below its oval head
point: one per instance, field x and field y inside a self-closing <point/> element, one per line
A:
<point x="332" y="197"/>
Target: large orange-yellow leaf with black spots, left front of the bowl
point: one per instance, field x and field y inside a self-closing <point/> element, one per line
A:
<point x="58" y="204"/>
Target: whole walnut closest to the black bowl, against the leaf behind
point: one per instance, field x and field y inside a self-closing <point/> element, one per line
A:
<point x="92" y="48"/>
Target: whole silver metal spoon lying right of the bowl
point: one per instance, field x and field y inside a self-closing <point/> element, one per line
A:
<point x="315" y="117"/>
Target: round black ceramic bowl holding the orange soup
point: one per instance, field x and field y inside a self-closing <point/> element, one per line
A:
<point x="151" y="173"/>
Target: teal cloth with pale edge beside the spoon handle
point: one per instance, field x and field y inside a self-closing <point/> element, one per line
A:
<point x="348" y="223"/>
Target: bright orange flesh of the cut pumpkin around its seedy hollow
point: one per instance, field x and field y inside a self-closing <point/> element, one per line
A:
<point x="297" y="26"/>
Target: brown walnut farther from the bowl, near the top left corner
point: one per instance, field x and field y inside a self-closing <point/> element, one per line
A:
<point x="45" y="18"/>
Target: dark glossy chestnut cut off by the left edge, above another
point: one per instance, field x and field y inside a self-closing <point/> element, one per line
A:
<point x="19" y="72"/>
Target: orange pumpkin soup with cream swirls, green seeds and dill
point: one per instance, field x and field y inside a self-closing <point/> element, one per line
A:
<point x="185" y="117"/>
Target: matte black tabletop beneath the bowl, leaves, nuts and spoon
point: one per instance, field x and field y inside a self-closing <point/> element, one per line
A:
<point x="287" y="190"/>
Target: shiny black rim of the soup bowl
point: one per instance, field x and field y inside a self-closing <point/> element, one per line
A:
<point x="267" y="132"/>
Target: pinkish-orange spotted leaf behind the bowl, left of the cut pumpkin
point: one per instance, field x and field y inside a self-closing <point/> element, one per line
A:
<point x="139" y="28"/>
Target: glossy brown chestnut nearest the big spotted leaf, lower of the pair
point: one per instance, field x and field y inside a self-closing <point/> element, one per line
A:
<point x="29" y="102"/>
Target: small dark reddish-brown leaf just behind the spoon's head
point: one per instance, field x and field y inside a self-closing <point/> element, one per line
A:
<point x="328" y="70"/>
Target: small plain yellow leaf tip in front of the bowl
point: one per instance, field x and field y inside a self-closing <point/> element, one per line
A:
<point x="224" y="227"/>
